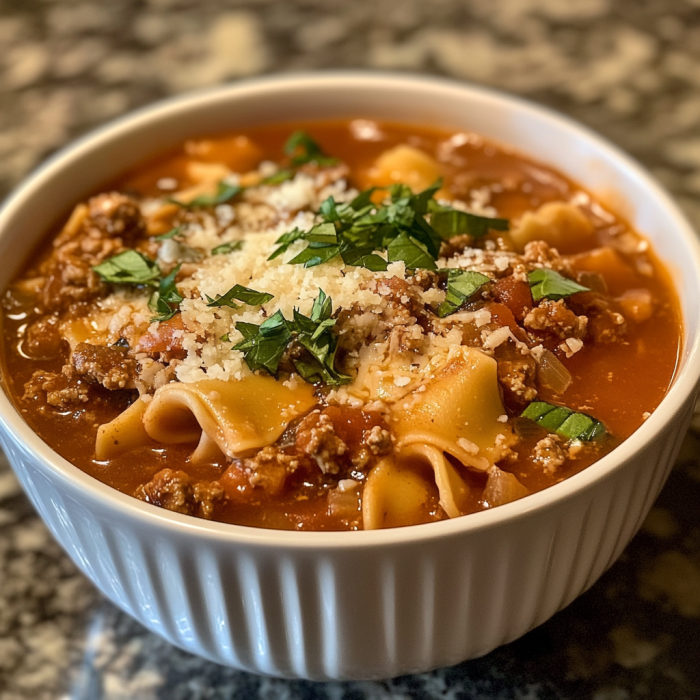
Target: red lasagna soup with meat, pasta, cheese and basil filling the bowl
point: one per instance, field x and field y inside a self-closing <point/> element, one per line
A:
<point x="344" y="325"/>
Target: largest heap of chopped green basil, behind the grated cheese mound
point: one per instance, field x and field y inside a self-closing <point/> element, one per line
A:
<point x="358" y="231"/>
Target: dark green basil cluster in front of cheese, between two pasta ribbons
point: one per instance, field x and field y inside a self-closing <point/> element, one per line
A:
<point x="263" y="346"/>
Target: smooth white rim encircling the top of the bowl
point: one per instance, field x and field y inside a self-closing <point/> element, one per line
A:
<point x="684" y="384"/>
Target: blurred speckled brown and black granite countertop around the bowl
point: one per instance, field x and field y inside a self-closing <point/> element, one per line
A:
<point x="629" y="69"/>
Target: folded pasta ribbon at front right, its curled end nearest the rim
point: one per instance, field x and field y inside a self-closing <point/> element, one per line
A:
<point x="457" y="414"/>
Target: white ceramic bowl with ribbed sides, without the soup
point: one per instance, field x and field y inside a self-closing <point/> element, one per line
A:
<point x="354" y="605"/>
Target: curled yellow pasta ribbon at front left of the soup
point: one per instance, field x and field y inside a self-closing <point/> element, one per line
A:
<point x="233" y="418"/>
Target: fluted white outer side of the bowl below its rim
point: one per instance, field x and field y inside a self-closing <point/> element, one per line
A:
<point x="353" y="613"/>
